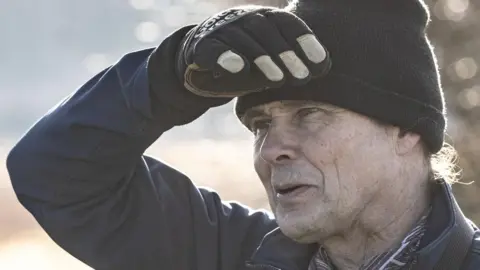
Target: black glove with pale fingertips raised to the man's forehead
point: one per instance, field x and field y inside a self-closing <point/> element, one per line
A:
<point x="248" y="49"/>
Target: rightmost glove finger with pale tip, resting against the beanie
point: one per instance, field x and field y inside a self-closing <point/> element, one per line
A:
<point x="300" y="36"/>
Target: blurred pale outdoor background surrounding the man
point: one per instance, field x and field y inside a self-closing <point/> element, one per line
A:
<point x="48" y="48"/>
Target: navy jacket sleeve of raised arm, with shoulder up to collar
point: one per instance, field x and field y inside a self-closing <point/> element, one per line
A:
<point x="81" y="172"/>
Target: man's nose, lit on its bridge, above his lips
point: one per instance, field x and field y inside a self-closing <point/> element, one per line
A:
<point x="279" y="147"/>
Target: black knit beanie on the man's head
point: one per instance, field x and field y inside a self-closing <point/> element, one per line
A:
<point x="382" y="64"/>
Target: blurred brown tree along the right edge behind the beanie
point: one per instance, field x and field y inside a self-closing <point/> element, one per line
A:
<point x="454" y="32"/>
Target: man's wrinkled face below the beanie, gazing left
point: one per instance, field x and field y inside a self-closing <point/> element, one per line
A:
<point x="321" y="165"/>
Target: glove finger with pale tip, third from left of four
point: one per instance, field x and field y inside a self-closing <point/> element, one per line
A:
<point x="269" y="37"/>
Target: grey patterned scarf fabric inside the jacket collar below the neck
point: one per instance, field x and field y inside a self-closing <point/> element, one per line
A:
<point x="394" y="259"/>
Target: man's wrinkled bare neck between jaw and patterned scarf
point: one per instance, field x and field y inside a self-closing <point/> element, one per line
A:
<point x="380" y="227"/>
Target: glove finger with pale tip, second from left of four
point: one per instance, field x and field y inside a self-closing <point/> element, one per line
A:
<point x="254" y="52"/>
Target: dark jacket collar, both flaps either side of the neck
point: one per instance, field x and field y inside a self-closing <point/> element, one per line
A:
<point x="278" y="252"/>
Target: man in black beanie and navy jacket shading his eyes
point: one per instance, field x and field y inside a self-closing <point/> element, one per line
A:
<point x="346" y="112"/>
